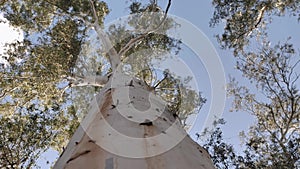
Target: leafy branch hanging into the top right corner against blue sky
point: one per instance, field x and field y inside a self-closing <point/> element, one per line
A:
<point x="247" y="19"/>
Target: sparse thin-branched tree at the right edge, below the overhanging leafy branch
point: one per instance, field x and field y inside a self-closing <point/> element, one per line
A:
<point x="274" y="140"/>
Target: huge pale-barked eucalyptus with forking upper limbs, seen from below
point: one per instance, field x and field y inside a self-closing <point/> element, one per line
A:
<point x="127" y="125"/>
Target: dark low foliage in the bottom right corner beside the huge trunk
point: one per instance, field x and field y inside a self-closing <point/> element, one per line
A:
<point x="224" y="155"/>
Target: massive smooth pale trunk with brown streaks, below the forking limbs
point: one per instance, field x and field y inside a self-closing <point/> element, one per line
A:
<point x="96" y="146"/>
